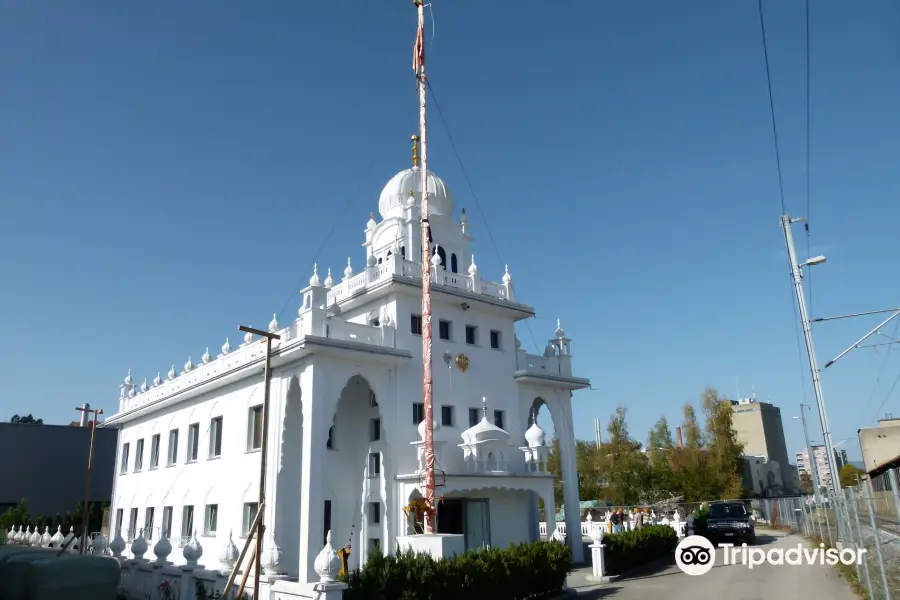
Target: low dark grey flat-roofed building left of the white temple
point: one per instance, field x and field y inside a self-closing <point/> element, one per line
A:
<point x="47" y="464"/>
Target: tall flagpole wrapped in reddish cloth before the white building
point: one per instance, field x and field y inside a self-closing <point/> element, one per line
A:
<point x="419" y="69"/>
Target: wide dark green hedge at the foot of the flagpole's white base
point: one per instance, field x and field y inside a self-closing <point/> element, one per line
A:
<point x="521" y="572"/>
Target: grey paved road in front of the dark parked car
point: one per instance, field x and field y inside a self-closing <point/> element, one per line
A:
<point x="820" y="582"/>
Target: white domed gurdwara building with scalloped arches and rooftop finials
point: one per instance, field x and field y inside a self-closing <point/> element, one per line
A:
<point x="345" y="447"/>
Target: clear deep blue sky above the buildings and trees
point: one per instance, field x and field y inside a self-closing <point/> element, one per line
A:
<point x="169" y="169"/>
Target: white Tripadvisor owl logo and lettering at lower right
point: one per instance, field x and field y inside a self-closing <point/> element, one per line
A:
<point x="696" y="555"/>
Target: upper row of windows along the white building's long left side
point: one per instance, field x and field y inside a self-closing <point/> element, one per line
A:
<point x="254" y="442"/>
